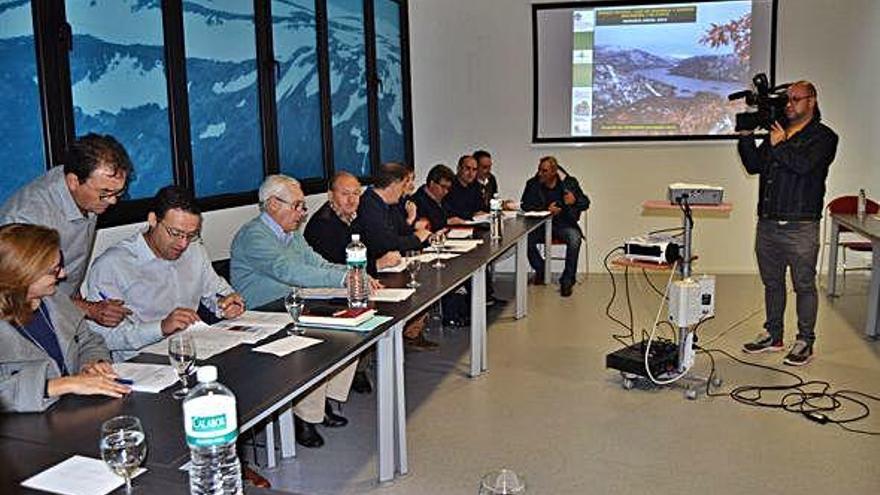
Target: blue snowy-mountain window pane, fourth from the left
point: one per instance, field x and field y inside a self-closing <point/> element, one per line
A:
<point x="297" y="96"/>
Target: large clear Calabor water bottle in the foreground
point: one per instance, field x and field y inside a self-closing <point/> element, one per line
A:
<point x="211" y="430"/>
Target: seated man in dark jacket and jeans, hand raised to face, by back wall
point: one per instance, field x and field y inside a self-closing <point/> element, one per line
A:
<point x="565" y="200"/>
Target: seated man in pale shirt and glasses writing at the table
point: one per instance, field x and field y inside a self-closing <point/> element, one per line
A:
<point x="163" y="274"/>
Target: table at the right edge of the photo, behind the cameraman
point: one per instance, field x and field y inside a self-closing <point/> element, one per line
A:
<point x="868" y="227"/>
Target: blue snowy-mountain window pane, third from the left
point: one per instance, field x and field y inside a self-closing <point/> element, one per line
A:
<point x="221" y="69"/>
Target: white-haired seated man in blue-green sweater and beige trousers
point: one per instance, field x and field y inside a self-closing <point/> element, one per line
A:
<point x="269" y="255"/>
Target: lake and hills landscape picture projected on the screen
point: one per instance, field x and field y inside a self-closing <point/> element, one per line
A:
<point x="667" y="69"/>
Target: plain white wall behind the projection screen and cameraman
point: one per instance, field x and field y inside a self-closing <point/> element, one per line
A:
<point x="471" y="79"/>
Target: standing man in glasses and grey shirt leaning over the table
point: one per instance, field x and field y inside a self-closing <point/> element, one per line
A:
<point x="69" y="199"/>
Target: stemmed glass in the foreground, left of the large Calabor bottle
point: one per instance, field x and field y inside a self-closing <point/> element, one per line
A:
<point x="123" y="446"/>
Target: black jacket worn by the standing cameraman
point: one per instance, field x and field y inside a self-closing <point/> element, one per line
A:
<point x="792" y="172"/>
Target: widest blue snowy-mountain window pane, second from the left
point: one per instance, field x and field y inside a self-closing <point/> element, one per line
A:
<point x="117" y="72"/>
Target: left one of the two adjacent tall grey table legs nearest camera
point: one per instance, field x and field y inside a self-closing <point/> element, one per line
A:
<point x="385" y="404"/>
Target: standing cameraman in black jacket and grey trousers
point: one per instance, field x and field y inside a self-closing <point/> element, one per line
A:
<point x="792" y="162"/>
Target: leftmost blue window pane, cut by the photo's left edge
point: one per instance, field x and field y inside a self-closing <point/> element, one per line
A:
<point x="21" y="146"/>
